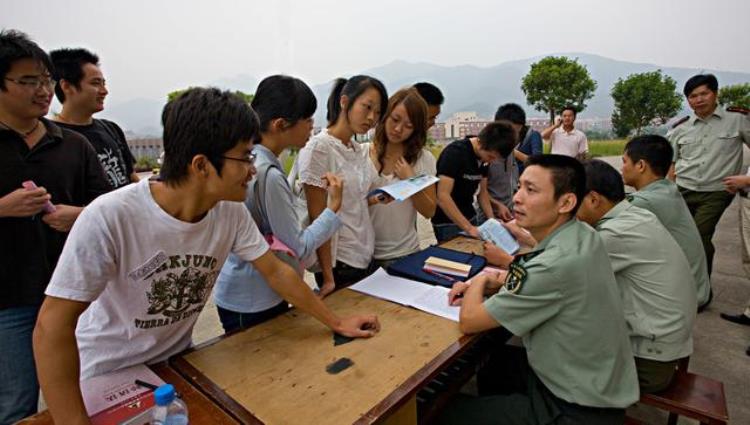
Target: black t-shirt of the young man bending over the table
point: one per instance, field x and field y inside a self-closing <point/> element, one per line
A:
<point x="459" y="162"/>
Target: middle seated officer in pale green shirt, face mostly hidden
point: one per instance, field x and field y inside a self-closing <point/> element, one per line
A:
<point x="652" y="274"/>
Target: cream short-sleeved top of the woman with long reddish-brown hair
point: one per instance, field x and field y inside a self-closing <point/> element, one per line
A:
<point x="395" y="223"/>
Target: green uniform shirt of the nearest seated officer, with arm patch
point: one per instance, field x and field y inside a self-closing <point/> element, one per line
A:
<point x="568" y="311"/>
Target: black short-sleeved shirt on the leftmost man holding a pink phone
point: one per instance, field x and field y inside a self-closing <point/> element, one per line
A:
<point x="65" y="164"/>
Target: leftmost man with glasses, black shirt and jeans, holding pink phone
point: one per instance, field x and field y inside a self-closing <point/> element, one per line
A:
<point x="34" y="222"/>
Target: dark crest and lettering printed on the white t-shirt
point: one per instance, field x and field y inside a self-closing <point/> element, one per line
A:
<point x="178" y="289"/>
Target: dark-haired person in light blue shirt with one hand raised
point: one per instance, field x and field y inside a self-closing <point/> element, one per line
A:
<point x="285" y="106"/>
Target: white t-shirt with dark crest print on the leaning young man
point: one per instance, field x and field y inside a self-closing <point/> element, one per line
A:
<point x="146" y="274"/>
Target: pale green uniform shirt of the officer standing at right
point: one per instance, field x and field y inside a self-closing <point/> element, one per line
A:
<point x="707" y="150"/>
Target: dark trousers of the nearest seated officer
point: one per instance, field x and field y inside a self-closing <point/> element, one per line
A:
<point x="523" y="400"/>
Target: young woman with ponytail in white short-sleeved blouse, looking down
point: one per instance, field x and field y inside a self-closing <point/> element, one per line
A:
<point x="354" y="107"/>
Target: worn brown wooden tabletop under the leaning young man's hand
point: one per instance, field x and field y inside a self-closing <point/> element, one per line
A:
<point x="277" y="370"/>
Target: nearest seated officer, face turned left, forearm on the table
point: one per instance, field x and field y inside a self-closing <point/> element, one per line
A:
<point x="560" y="299"/>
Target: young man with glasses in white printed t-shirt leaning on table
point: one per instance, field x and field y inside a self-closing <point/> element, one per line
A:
<point x="141" y="261"/>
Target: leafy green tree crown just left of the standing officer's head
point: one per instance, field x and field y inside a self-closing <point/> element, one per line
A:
<point x="643" y="99"/>
